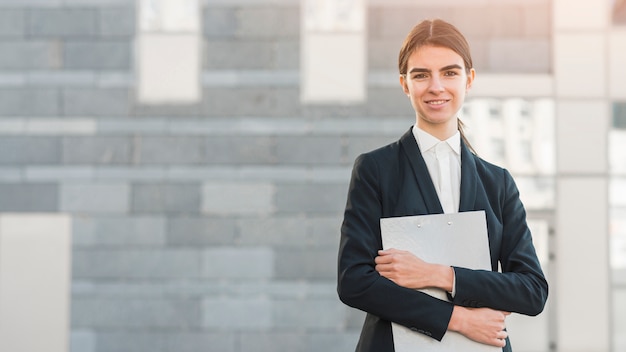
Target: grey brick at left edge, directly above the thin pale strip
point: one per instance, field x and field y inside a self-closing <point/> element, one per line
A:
<point x="29" y="102"/>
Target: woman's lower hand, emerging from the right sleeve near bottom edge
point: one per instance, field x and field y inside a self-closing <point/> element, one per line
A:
<point x="483" y="325"/>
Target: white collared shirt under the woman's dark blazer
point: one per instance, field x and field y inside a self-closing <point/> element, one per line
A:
<point x="443" y="160"/>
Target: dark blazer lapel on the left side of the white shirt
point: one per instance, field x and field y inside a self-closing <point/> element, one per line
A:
<point x="429" y="200"/>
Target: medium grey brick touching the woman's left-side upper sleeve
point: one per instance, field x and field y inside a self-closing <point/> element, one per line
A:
<point x="313" y="198"/>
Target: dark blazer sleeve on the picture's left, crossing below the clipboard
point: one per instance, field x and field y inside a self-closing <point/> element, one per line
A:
<point x="359" y="284"/>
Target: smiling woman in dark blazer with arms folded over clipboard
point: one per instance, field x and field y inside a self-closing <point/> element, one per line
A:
<point x="406" y="178"/>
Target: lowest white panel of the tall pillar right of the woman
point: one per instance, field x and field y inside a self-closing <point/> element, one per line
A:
<point x="582" y="286"/>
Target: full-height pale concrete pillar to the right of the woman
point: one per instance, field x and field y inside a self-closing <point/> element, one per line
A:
<point x="581" y="285"/>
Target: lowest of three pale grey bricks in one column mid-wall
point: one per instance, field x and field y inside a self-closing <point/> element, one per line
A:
<point x="230" y="313"/>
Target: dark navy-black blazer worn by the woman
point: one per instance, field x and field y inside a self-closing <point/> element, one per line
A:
<point x="394" y="181"/>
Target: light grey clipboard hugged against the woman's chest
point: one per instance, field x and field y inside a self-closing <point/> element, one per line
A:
<point x="455" y="239"/>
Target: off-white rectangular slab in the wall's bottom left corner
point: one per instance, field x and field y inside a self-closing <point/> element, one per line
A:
<point x="35" y="262"/>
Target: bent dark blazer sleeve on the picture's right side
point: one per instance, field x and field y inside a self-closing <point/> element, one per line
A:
<point x="521" y="287"/>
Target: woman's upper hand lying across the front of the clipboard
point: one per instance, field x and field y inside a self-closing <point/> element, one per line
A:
<point x="407" y="270"/>
